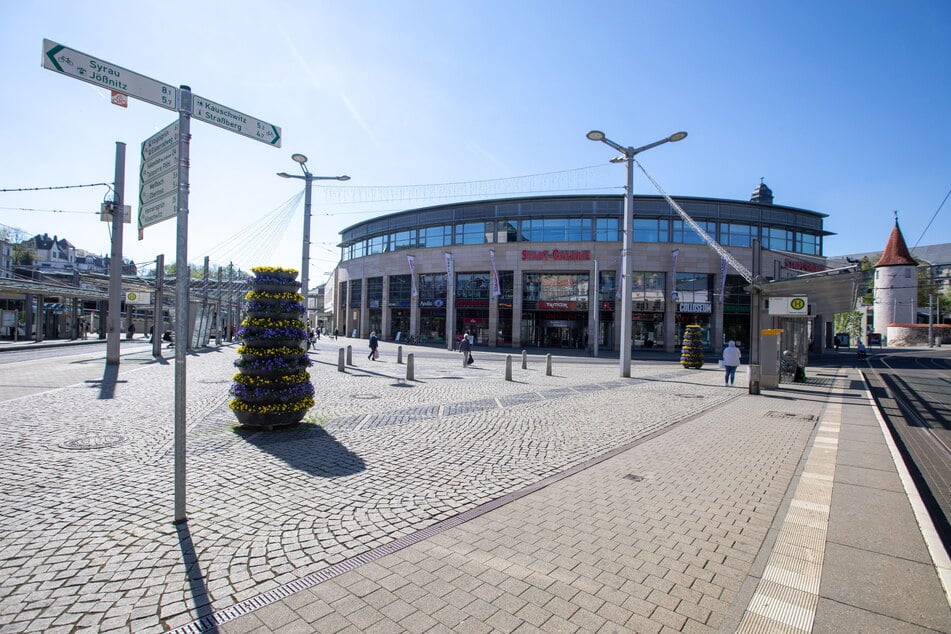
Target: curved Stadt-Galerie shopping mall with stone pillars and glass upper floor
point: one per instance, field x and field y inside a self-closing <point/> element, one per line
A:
<point x="543" y="271"/>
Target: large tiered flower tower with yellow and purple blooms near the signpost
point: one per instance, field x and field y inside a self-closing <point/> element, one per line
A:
<point x="272" y="387"/>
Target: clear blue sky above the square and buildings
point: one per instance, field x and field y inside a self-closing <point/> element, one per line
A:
<point x="842" y="107"/>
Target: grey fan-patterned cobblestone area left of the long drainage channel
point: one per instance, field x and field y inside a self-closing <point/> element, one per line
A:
<point x="87" y="540"/>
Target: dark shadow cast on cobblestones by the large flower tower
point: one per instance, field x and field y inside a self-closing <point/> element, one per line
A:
<point x="306" y="447"/>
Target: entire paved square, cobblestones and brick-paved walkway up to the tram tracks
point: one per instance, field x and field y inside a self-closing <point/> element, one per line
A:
<point x="457" y="501"/>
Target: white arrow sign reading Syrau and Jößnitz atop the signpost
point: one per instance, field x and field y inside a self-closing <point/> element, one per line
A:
<point x="72" y="63"/>
